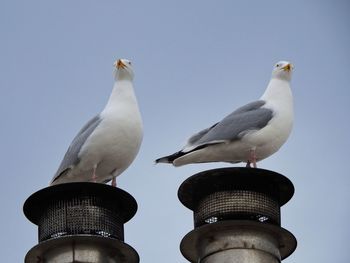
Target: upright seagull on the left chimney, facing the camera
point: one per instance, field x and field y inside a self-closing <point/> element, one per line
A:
<point x="110" y="141"/>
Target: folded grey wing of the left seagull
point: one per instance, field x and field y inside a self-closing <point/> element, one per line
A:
<point x="71" y="157"/>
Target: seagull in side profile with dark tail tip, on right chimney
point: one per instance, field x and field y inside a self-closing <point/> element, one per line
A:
<point x="251" y="133"/>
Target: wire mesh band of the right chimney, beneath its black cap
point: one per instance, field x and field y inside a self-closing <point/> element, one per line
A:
<point x="237" y="205"/>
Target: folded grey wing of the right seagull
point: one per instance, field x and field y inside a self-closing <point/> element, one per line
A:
<point x="247" y="118"/>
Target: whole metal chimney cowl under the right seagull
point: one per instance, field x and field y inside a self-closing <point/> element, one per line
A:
<point x="237" y="216"/>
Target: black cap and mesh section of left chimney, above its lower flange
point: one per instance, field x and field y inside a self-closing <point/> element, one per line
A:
<point x="82" y="208"/>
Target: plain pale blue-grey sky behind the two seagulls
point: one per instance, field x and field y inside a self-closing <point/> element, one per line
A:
<point x="195" y="62"/>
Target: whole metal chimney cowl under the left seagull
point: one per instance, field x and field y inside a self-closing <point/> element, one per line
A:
<point x="81" y="222"/>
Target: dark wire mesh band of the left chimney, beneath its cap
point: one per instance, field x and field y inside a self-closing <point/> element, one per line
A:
<point x="82" y="214"/>
